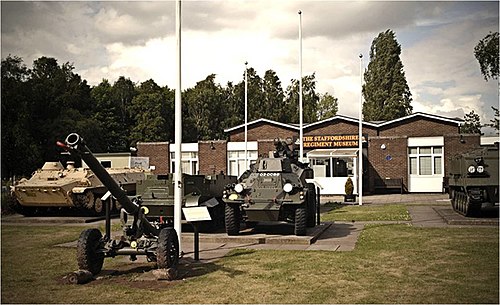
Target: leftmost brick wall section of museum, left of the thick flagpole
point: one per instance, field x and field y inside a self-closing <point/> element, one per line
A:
<point x="158" y="153"/>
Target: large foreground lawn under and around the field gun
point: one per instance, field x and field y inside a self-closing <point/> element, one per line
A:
<point x="391" y="264"/>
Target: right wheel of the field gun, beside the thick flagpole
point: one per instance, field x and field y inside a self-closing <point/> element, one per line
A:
<point x="167" y="254"/>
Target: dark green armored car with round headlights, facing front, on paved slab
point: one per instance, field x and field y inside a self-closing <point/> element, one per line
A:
<point x="273" y="189"/>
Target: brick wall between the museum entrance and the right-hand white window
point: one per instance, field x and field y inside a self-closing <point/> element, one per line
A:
<point x="379" y="167"/>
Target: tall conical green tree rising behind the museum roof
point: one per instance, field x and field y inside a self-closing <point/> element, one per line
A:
<point x="386" y="92"/>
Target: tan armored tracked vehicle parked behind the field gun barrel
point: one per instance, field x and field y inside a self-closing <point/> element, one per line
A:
<point x="54" y="187"/>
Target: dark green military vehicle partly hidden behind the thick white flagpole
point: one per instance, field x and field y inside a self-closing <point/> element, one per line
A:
<point x="157" y="194"/>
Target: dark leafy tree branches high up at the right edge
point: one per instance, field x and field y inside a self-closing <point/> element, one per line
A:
<point x="487" y="54"/>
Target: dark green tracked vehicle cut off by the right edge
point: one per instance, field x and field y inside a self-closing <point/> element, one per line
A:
<point x="473" y="180"/>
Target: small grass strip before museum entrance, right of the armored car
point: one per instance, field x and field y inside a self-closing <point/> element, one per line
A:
<point x="386" y="212"/>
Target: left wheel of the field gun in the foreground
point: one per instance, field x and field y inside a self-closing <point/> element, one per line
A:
<point x="87" y="251"/>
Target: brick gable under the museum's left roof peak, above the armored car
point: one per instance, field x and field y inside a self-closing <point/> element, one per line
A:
<point x="263" y="132"/>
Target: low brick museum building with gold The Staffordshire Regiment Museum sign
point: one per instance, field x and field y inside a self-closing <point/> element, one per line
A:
<point x="409" y="154"/>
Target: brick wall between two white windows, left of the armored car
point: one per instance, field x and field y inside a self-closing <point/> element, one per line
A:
<point x="212" y="156"/>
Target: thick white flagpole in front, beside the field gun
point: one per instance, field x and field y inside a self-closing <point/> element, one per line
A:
<point x="178" y="192"/>
